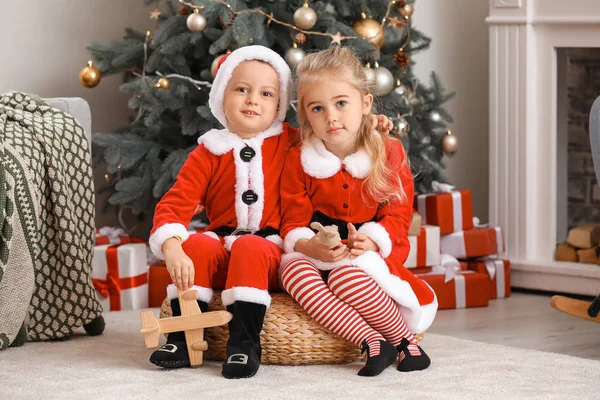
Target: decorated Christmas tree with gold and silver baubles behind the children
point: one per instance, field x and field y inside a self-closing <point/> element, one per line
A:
<point x="169" y="73"/>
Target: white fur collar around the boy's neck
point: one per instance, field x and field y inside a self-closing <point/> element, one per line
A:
<point x="221" y="141"/>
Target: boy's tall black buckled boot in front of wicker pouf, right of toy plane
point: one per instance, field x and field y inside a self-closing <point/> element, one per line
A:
<point x="243" y="346"/>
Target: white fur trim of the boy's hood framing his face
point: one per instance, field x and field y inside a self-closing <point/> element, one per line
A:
<point x="229" y="62"/>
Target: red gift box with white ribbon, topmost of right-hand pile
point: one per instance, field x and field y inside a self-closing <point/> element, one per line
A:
<point x="451" y="211"/>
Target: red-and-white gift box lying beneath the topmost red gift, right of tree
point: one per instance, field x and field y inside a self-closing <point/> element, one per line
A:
<point x="478" y="242"/>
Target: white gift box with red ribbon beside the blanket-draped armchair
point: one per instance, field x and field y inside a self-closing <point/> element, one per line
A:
<point x="120" y="276"/>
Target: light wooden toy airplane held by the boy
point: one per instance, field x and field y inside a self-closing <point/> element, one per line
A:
<point x="192" y="321"/>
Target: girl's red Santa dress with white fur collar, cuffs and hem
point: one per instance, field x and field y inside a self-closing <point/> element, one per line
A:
<point x="314" y="180"/>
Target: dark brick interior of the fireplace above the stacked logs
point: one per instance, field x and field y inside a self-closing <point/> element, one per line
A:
<point x="583" y="87"/>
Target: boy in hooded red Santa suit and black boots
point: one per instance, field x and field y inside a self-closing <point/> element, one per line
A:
<point x="234" y="173"/>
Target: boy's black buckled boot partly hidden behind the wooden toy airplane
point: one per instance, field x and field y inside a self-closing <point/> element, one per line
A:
<point x="173" y="354"/>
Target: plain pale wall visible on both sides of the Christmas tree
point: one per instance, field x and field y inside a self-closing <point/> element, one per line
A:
<point x="44" y="49"/>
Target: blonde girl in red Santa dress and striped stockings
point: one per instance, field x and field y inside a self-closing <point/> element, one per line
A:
<point x="348" y="175"/>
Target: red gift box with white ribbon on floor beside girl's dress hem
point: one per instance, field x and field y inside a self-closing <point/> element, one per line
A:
<point x="465" y="289"/>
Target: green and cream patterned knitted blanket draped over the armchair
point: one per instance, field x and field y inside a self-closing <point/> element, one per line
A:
<point x="46" y="222"/>
